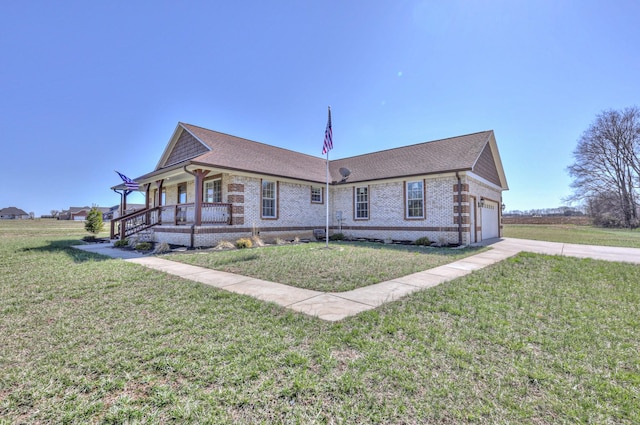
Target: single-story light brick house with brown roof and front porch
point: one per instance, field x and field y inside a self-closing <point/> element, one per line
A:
<point x="210" y="186"/>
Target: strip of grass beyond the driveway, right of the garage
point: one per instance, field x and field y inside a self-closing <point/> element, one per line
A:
<point x="569" y="233"/>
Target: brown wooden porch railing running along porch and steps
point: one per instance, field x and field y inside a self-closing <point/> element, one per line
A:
<point x="212" y="213"/>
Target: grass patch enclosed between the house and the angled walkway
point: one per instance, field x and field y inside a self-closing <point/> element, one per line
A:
<point x="342" y="267"/>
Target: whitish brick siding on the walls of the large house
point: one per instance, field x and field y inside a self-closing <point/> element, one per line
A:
<point x="298" y="216"/>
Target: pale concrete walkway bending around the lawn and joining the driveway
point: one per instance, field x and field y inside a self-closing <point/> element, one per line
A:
<point x="334" y="306"/>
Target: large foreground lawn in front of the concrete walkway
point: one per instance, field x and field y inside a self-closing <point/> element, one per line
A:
<point x="534" y="339"/>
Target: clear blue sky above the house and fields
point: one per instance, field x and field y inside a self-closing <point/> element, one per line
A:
<point x="87" y="88"/>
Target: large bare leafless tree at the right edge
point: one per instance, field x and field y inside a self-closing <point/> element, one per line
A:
<point x="606" y="168"/>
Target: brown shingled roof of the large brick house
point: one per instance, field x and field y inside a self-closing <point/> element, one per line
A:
<point x="199" y="146"/>
